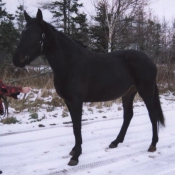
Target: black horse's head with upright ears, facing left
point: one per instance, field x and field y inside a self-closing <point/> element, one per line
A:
<point x="31" y="42"/>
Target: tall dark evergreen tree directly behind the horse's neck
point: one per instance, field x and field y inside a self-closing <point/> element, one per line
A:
<point x="67" y="18"/>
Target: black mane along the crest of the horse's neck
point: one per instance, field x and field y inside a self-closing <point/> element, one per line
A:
<point x="66" y="36"/>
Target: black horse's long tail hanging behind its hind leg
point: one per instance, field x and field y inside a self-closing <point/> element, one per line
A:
<point x="160" y="116"/>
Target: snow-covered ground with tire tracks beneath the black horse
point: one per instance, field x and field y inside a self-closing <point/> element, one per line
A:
<point x="26" y="149"/>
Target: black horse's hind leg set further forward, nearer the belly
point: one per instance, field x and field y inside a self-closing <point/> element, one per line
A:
<point x="127" y="100"/>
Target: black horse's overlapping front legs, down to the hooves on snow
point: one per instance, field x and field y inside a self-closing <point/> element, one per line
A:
<point x="75" y="109"/>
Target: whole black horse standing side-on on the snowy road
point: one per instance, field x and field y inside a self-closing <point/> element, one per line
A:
<point x="83" y="76"/>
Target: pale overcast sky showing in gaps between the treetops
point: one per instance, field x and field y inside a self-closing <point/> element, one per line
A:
<point x="161" y="8"/>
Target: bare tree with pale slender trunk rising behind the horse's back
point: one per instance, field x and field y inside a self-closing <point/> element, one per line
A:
<point x="116" y="11"/>
